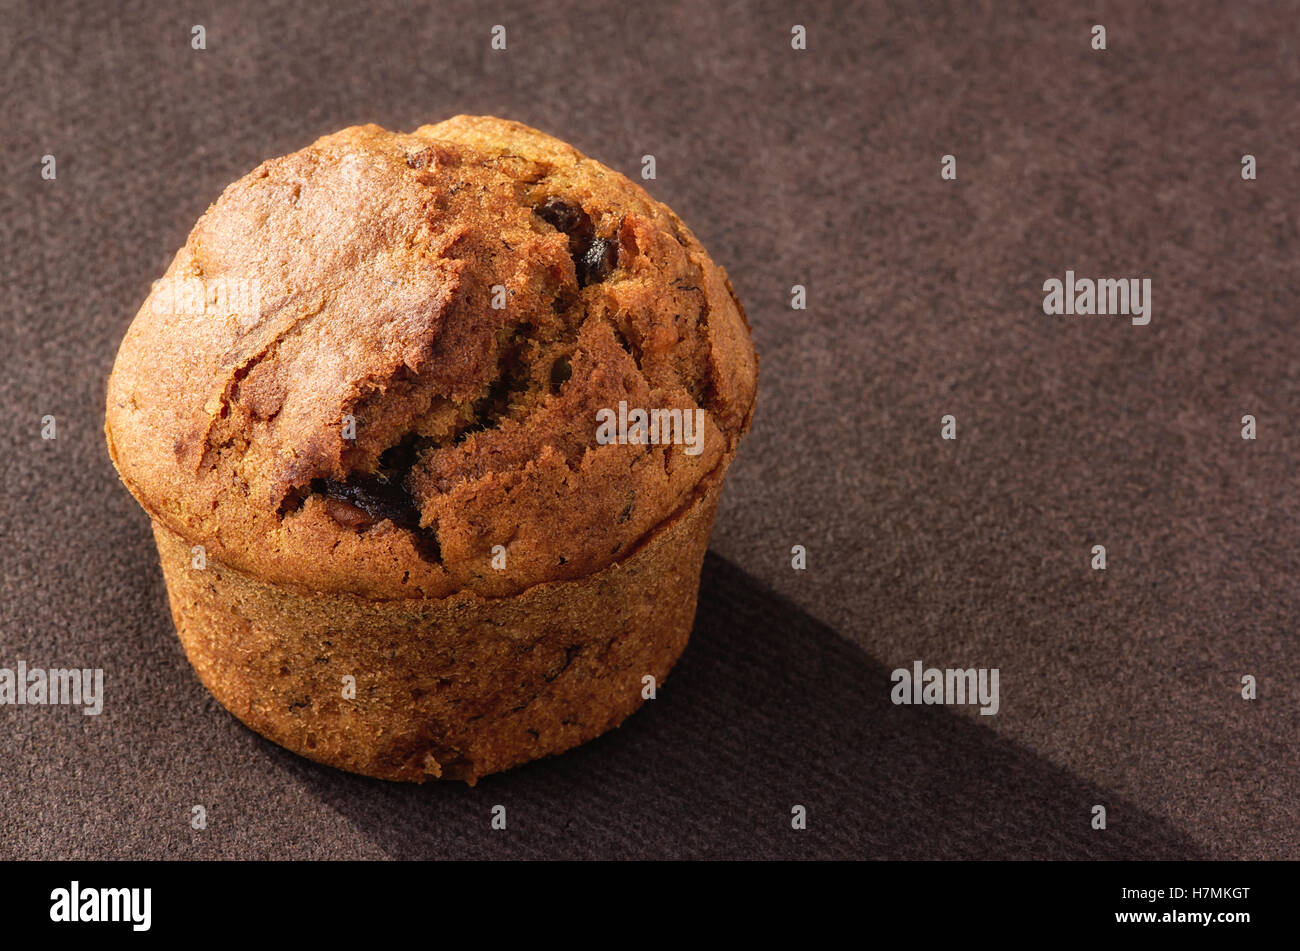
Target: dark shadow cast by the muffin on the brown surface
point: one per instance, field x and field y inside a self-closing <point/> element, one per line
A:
<point x="768" y="710"/>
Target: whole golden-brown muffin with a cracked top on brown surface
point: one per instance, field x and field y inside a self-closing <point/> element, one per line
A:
<point x="431" y="429"/>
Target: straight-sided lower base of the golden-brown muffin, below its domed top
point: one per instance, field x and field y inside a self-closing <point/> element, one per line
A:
<point x="453" y="688"/>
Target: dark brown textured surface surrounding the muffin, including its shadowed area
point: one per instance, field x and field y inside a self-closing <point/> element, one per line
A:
<point x="817" y="168"/>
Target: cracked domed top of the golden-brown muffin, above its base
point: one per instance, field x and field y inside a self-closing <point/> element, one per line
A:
<point x="382" y="357"/>
